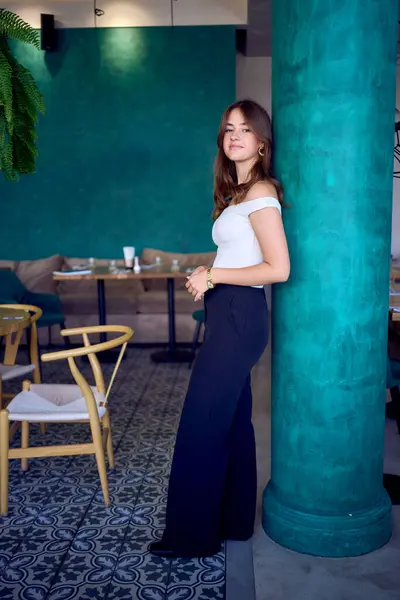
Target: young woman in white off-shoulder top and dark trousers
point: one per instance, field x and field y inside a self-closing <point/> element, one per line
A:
<point x="212" y="488"/>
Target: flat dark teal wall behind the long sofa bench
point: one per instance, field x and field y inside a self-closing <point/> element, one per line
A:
<point x="127" y="144"/>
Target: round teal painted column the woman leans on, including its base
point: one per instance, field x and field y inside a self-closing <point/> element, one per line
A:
<point x="333" y="89"/>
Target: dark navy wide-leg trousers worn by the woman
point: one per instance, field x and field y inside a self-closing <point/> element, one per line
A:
<point x="213" y="481"/>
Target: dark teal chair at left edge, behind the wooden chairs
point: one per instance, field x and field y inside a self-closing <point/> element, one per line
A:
<point x="12" y="290"/>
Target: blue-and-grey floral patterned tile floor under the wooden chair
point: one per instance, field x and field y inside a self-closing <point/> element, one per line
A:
<point x="60" y="542"/>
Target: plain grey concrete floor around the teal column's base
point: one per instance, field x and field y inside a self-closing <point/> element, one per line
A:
<point x="281" y="574"/>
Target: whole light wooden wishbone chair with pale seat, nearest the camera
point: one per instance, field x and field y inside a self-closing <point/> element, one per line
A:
<point x="64" y="403"/>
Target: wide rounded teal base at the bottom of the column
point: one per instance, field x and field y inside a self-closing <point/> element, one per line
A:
<point x="324" y="535"/>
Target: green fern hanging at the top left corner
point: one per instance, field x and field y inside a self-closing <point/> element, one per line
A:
<point x="20" y="101"/>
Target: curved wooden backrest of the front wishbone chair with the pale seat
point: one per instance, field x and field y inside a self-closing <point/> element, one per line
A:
<point x="91" y="350"/>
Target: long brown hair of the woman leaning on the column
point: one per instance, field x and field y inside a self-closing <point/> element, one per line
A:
<point x="226" y="186"/>
